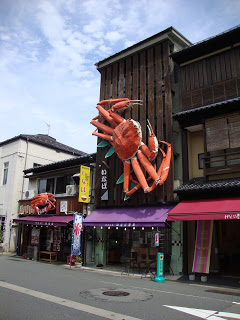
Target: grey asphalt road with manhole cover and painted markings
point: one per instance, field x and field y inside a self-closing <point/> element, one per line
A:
<point x="36" y="290"/>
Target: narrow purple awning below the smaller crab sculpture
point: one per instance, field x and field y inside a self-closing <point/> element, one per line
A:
<point x="61" y="221"/>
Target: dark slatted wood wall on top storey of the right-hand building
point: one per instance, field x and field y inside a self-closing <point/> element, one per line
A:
<point x="211" y="80"/>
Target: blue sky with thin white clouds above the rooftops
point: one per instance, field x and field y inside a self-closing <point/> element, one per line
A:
<point x="48" y="49"/>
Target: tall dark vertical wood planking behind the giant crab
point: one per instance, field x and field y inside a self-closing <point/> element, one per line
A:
<point x="146" y="76"/>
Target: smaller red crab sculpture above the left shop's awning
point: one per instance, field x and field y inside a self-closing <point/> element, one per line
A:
<point x="43" y="202"/>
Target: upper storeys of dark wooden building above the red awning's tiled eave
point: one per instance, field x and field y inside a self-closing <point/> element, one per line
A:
<point x="209" y="100"/>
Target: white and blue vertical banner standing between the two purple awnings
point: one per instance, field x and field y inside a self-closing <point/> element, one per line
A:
<point x="76" y="235"/>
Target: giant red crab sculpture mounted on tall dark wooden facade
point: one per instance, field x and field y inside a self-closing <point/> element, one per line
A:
<point x="126" y="138"/>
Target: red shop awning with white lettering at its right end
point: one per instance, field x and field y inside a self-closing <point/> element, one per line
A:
<point x="206" y="209"/>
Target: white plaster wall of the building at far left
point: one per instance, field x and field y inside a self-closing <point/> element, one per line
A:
<point x="21" y="155"/>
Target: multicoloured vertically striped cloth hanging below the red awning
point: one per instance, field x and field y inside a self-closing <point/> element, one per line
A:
<point x="201" y="261"/>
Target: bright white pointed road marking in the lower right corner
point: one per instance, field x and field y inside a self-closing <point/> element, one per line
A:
<point x="206" y="314"/>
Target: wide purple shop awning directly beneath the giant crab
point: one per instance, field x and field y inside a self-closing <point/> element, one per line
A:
<point x="129" y="217"/>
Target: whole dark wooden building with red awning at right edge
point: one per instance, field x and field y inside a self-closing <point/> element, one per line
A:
<point x="209" y="116"/>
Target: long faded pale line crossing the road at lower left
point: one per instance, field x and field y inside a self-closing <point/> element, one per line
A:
<point x="68" y="303"/>
